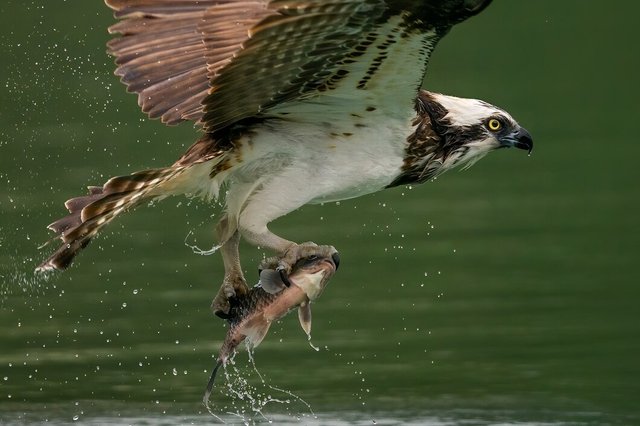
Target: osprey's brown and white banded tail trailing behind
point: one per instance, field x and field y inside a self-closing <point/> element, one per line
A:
<point x="90" y="213"/>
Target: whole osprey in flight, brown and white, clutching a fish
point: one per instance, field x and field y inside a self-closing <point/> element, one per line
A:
<point x="299" y="101"/>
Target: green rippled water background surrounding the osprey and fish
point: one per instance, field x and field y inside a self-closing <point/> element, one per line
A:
<point x="505" y="294"/>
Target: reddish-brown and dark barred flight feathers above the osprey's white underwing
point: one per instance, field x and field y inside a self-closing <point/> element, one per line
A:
<point x="217" y="62"/>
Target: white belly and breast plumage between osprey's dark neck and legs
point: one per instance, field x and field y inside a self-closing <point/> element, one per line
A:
<point x="301" y="162"/>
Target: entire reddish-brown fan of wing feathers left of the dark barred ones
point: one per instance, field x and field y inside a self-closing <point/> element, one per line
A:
<point x="170" y="49"/>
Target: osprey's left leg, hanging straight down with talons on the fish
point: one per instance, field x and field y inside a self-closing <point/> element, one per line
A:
<point x="234" y="284"/>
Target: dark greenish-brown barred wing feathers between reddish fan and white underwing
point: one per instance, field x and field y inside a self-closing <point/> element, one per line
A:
<point x="287" y="55"/>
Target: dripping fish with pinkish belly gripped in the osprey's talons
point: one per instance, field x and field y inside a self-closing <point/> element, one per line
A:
<point x="272" y="298"/>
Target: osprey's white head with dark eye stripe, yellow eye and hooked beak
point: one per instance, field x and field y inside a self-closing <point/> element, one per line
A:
<point x="467" y="129"/>
